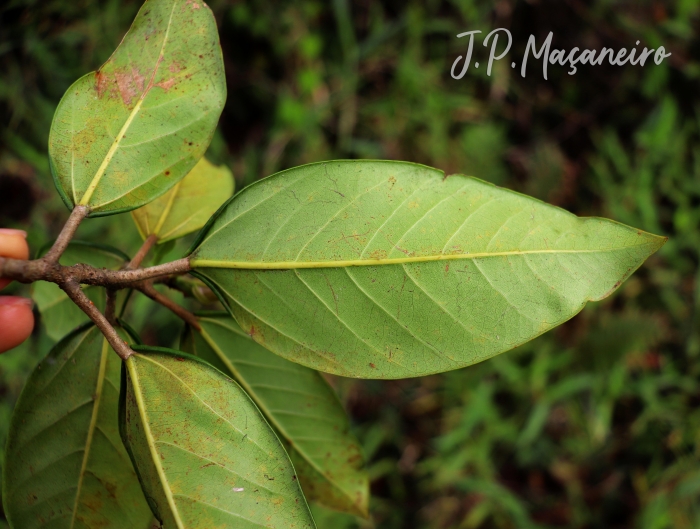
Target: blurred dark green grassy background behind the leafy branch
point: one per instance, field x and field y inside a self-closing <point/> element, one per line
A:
<point x="593" y="425"/>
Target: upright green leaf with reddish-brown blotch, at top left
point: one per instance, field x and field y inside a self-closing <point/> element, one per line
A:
<point x="125" y="134"/>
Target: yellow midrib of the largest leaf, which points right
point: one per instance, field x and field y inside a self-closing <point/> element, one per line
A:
<point x="289" y="265"/>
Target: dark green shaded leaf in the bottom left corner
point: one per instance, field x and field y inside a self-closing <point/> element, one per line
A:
<point x="65" y="464"/>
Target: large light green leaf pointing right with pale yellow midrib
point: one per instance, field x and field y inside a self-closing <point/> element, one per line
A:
<point x="390" y="269"/>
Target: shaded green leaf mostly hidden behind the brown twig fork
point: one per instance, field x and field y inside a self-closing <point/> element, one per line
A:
<point x="58" y="312"/>
